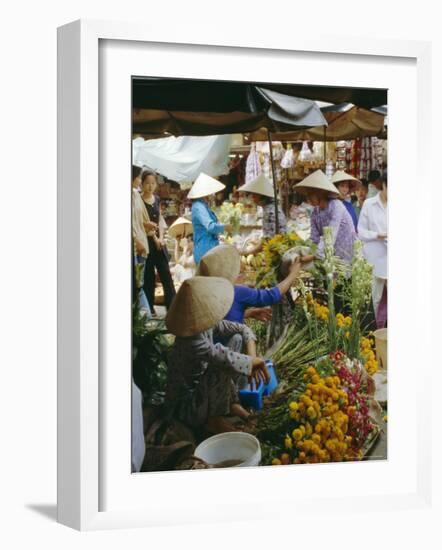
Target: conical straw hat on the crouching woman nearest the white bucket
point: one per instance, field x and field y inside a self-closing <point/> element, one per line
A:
<point x="200" y="303"/>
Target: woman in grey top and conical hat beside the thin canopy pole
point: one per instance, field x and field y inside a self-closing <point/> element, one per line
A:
<point x="261" y="191"/>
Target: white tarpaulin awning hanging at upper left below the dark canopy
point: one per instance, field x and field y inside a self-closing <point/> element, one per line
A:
<point x="181" y="159"/>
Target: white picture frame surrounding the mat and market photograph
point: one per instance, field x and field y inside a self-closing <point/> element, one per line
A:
<point x="80" y="293"/>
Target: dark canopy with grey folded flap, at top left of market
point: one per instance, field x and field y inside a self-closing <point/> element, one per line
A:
<point x="231" y="108"/>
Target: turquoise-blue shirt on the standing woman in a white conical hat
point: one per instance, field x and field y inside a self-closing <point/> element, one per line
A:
<point x="205" y="229"/>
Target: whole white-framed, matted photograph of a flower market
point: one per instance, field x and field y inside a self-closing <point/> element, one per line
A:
<point x="223" y="322"/>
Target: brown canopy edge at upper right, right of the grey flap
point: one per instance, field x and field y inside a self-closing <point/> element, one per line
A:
<point x="344" y="122"/>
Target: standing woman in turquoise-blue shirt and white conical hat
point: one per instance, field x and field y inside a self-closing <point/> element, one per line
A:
<point x="206" y="227"/>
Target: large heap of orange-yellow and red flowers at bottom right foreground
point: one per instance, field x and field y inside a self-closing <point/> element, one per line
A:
<point x="330" y="419"/>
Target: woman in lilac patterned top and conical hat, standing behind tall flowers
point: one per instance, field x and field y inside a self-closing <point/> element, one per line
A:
<point x="328" y="211"/>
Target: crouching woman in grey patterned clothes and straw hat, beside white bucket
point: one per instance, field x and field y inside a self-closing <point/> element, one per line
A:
<point x="202" y="375"/>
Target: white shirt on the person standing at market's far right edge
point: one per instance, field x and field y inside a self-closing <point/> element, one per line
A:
<point x="373" y="221"/>
